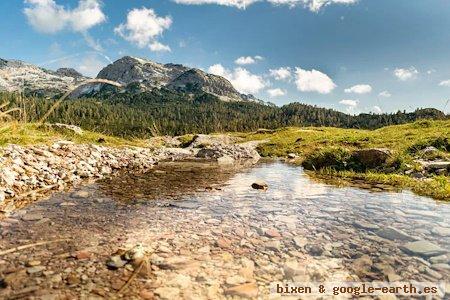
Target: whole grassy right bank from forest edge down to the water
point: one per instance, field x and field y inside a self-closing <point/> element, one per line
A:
<point x="334" y="145"/>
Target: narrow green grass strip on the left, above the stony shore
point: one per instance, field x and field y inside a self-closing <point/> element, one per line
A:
<point x="32" y="134"/>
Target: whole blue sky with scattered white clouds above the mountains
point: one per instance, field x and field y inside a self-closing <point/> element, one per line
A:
<point x="351" y="55"/>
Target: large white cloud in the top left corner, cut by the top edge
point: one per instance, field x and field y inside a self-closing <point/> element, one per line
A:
<point x="47" y="16"/>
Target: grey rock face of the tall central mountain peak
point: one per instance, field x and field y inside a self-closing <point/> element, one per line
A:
<point x="177" y="77"/>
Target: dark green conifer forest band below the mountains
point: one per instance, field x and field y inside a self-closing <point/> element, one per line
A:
<point x="167" y="112"/>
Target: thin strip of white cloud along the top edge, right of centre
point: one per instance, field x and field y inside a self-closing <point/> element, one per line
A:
<point x="312" y="5"/>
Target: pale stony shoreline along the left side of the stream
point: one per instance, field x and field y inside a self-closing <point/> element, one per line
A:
<point x="28" y="170"/>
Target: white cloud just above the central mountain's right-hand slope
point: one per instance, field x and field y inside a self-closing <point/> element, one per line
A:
<point x="243" y="81"/>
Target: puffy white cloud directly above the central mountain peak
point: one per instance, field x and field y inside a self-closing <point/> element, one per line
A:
<point x="143" y="27"/>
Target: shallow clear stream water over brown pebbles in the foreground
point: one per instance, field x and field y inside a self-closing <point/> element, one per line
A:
<point x="224" y="235"/>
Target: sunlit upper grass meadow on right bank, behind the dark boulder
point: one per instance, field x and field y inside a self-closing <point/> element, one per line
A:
<point x="304" y="141"/>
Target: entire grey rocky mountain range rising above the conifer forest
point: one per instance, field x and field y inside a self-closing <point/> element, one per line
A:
<point x="136" y="74"/>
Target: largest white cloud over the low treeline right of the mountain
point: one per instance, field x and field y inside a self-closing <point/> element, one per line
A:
<point x="313" y="81"/>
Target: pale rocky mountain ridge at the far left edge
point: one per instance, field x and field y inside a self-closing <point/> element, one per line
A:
<point x="20" y="76"/>
